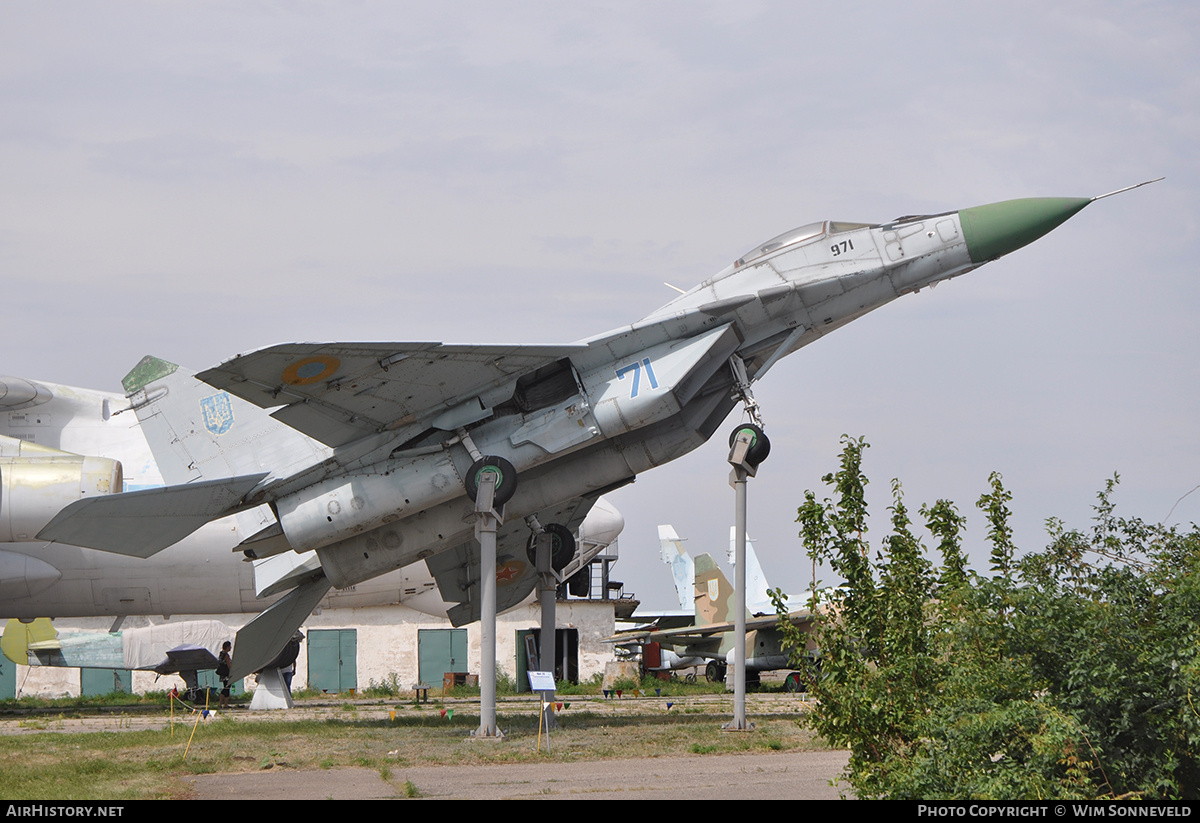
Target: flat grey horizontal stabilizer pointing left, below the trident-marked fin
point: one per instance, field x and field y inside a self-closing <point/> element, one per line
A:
<point x="143" y="524"/>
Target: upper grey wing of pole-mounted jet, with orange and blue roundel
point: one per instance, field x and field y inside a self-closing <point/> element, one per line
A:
<point x="338" y="393"/>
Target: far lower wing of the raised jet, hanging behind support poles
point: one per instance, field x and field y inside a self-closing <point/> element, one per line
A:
<point x="457" y="570"/>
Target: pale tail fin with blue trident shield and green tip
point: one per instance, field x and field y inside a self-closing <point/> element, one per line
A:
<point x="197" y="432"/>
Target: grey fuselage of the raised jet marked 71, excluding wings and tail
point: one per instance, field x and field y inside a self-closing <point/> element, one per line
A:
<point x="641" y="397"/>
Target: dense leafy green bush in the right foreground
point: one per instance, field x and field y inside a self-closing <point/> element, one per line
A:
<point x="1069" y="672"/>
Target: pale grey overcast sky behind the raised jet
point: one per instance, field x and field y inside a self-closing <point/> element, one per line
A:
<point x="201" y="179"/>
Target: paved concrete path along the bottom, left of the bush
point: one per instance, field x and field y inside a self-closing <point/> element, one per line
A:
<point x="797" y="776"/>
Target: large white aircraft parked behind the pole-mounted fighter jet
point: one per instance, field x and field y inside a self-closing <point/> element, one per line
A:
<point x="61" y="443"/>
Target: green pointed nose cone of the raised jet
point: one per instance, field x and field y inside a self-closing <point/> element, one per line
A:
<point x="999" y="229"/>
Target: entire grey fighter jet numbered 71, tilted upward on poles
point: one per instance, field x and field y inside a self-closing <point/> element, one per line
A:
<point x="373" y="453"/>
